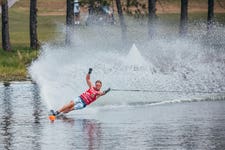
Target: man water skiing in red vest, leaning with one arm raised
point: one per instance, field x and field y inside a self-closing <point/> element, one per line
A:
<point x="89" y="96"/>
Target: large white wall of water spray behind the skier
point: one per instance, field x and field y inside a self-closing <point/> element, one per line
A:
<point x="167" y="66"/>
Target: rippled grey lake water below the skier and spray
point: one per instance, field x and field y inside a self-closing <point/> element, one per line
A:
<point x="24" y="124"/>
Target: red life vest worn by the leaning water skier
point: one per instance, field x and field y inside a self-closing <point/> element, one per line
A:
<point x="90" y="95"/>
